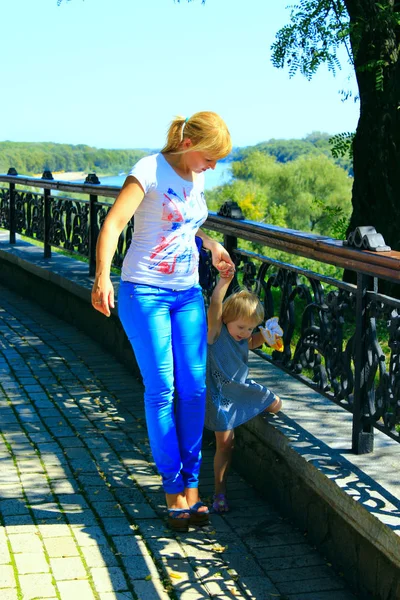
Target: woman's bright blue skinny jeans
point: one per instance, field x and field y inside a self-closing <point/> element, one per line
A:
<point x="167" y="330"/>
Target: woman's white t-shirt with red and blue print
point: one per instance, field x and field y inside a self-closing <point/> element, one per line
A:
<point x="163" y="251"/>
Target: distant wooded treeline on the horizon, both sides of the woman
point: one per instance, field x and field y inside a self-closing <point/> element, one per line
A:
<point x="35" y="157"/>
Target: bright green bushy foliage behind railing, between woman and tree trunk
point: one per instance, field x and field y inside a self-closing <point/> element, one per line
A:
<point x="310" y="193"/>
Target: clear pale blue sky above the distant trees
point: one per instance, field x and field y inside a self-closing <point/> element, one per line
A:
<point x="113" y="73"/>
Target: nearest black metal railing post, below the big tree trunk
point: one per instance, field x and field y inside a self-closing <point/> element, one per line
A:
<point x="363" y="431"/>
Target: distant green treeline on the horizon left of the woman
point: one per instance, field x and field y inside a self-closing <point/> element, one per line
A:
<point x="30" y="158"/>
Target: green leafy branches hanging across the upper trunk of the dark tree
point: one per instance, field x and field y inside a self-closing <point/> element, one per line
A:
<point x="318" y="27"/>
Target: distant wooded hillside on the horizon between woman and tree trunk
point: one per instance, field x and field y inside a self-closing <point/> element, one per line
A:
<point x="287" y="150"/>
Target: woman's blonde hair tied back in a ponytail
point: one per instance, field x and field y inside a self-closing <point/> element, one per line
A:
<point x="207" y="132"/>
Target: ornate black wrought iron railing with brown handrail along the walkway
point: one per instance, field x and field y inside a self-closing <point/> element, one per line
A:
<point x="341" y="339"/>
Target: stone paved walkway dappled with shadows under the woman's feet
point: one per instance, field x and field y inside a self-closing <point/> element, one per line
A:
<point x="81" y="506"/>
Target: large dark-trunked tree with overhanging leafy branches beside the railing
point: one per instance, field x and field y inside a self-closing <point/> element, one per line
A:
<point x="371" y="31"/>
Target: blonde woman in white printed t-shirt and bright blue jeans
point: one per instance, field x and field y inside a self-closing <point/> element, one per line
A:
<point x="160" y="302"/>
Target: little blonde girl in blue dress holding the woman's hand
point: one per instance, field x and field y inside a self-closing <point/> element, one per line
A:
<point x="232" y="398"/>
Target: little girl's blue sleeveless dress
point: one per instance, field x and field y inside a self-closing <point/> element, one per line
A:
<point x="232" y="398"/>
